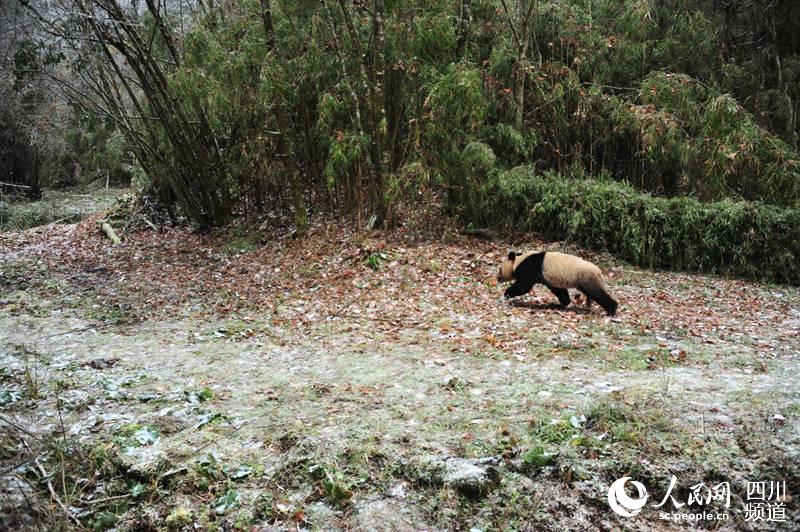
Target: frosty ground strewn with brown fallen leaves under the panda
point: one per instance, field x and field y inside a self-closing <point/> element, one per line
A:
<point x="342" y="380"/>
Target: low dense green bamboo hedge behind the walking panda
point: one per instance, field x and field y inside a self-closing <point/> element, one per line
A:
<point x="748" y="239"/>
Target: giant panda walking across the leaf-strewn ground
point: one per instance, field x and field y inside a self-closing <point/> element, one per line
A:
<point x="557" y="271"/>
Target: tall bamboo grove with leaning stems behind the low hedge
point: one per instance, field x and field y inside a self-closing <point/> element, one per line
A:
<point x="279" y="107"/>
